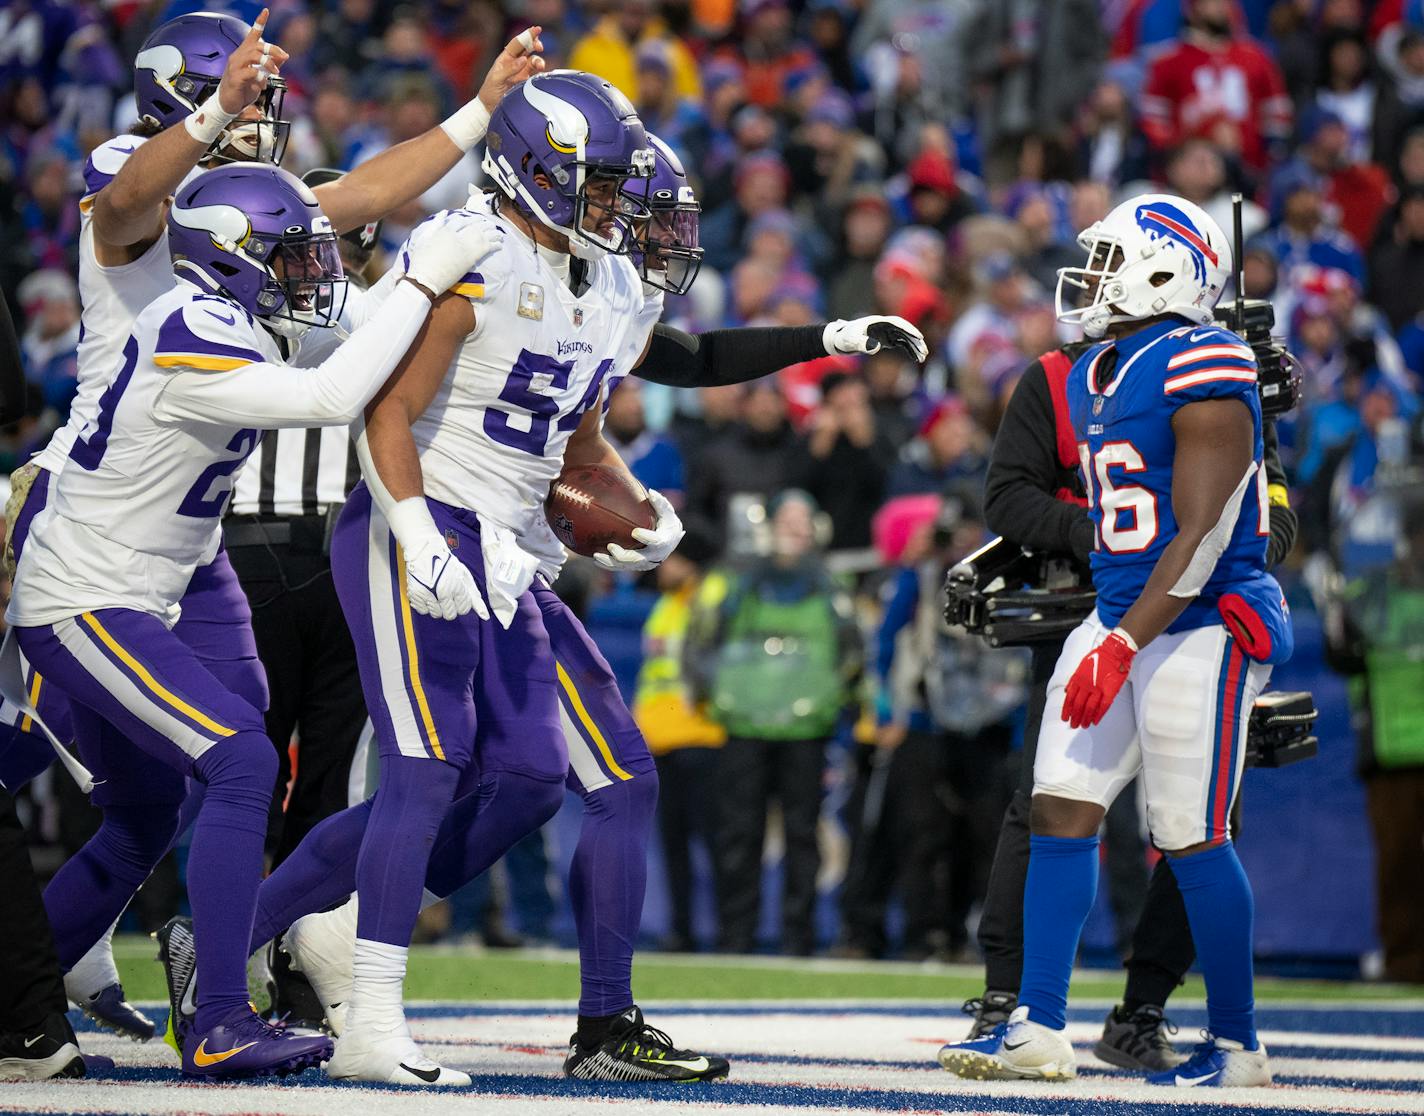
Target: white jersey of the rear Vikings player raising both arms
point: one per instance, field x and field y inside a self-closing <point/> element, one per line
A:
<point x="110" y="300"/>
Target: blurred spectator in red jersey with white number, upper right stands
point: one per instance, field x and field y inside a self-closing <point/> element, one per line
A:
<point x="1217" y="83"/>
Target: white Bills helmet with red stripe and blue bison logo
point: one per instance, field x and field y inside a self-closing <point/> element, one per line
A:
<point x="1156" y="254"/>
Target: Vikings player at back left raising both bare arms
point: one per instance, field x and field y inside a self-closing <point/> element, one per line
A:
<point x="210" y="92"/>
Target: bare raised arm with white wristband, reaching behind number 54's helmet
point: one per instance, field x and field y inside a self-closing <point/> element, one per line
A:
<point x="408" y="170"/>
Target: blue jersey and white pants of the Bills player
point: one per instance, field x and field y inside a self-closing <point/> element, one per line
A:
<point x="1181" y="718"/>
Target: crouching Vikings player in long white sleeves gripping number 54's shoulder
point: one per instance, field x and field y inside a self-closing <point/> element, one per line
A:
<point x="103" y="574"/>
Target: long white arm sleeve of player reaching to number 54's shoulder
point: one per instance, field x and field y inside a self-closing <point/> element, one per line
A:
<point x="276" y="396"/>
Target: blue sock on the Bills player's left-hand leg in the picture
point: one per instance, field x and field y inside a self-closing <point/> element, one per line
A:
<point x="1059" y="893"/>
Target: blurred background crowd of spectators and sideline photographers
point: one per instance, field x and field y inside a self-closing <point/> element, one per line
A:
<point x="928" y="159"/>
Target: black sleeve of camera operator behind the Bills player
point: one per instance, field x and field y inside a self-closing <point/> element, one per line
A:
<point x="1025" y="472"/>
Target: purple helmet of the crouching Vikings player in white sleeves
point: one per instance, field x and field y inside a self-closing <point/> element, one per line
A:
<point x="257" y="236"/>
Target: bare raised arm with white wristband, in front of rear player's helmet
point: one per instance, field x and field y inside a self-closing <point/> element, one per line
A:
<point x="129" y="211"/>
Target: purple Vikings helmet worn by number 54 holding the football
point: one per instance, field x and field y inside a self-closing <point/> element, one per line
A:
<point x="556" y="136"/>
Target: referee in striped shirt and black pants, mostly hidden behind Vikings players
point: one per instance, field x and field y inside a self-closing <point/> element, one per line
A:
<point x="278" y="532"/>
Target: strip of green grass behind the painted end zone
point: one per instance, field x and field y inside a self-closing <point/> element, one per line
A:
<point x="455" y="974"/>
